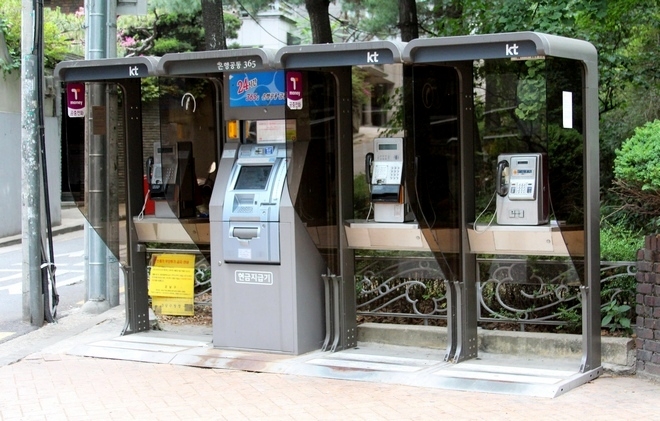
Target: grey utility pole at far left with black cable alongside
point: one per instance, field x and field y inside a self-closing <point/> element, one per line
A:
<point x="33" y="308"/>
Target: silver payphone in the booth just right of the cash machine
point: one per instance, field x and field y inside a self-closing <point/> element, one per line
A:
<point x="384" y="170"/>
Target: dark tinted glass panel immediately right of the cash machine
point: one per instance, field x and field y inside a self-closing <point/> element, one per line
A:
<point x="313" y="151"/>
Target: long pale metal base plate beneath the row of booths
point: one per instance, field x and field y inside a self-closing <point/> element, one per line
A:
<point x="423" y="367"/>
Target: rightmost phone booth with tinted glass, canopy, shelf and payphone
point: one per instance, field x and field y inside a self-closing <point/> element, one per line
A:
<point x="504" y="155"/>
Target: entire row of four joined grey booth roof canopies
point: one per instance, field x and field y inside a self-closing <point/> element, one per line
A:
<point x="425" y="50"/>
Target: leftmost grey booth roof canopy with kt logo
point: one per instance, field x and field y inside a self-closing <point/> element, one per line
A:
<point x="106" y="69"/>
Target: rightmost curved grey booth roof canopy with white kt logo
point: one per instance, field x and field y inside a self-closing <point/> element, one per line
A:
<point x="505" y="45"/>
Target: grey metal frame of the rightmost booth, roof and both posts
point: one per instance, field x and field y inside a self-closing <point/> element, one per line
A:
<point x="462" y="51"/>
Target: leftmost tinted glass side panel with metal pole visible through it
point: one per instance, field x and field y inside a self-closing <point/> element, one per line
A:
<point x="92" y="174"/>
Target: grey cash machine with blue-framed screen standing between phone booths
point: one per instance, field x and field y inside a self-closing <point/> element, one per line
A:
<point x="268" y="291"/>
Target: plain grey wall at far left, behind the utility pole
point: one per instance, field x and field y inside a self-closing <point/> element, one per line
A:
<point x="10" y="158"/>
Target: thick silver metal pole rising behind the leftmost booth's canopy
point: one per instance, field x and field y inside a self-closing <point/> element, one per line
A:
<point x="97" y="205"/>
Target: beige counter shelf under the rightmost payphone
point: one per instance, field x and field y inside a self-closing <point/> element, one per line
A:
<point x="543" y="240"/>
